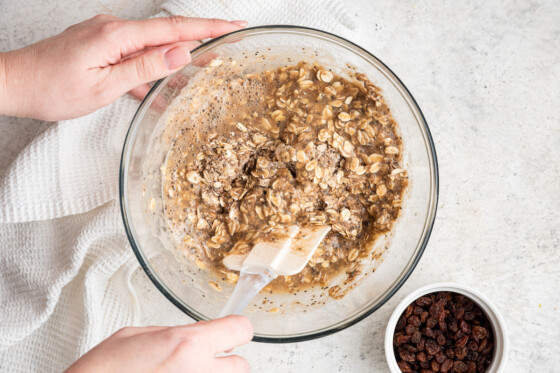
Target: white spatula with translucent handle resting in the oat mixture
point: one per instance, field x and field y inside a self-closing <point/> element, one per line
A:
<point x="284" y="256"/>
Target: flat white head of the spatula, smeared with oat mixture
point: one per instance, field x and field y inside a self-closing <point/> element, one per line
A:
<point x="285" y="256"/>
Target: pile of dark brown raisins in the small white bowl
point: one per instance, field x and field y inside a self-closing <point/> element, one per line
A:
<point x="443" y="332"/>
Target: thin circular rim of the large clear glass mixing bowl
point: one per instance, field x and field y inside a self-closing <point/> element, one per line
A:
<point x="428" y="225"/>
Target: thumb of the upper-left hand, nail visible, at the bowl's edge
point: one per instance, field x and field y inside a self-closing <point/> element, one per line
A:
<point x="151" y="65"/>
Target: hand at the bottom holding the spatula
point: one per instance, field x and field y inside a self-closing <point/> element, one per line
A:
<point x="186" y="349"/>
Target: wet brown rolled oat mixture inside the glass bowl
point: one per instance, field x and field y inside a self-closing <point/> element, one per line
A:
<point x="293" y="145"/>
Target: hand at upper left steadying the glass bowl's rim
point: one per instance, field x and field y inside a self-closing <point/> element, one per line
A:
<point x="91" y="64"/>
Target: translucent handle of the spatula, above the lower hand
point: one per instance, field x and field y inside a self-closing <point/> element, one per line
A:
<point x="250" y="283"/>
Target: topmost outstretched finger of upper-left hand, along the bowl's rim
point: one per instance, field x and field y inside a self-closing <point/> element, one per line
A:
<point x="137" y="35"/>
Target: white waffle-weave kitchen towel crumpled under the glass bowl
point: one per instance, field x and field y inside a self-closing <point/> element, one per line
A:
<point x="65" y="262"/>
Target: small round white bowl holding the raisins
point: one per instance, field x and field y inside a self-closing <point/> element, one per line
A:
<point x="496" y="320"/>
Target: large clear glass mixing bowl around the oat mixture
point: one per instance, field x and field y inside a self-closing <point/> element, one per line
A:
<point x="307" y="315"/>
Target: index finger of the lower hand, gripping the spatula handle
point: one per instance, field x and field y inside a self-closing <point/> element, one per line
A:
<point x="225" y="333"/>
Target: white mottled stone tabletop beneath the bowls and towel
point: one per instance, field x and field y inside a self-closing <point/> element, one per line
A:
<point x="487" y="78"/>
